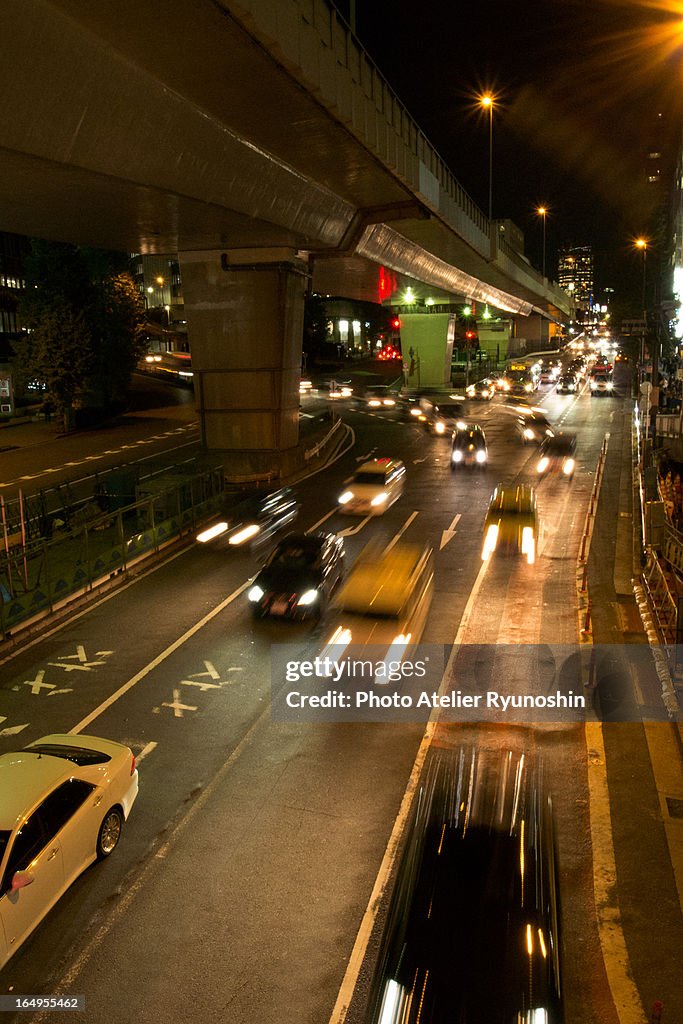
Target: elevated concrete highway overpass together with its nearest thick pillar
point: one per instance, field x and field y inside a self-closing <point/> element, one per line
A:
<point x="259" y="142"/>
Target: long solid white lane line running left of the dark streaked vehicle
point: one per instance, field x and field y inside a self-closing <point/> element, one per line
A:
<point x="367" y="925"/>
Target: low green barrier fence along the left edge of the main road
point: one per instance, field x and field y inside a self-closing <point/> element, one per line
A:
<point x="36" y="580"/>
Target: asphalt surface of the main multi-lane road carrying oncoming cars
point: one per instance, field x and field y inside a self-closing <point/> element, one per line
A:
<point x="248" y="863"/>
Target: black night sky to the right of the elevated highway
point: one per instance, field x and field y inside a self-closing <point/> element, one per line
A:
<point x="581" y="84"/>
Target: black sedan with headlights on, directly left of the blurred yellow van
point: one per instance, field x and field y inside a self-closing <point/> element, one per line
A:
<point x="298" y="577"/>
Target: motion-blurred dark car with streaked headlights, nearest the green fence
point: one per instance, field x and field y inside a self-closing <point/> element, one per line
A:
<point x="255" y="520"/>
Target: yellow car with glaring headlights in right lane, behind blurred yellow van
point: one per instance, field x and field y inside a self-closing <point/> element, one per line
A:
<point x="513" y="523"/>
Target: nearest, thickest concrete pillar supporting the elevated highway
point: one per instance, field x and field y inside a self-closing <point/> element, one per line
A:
<point x="245" y="321"/>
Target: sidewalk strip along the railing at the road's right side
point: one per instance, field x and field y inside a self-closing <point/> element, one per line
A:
<point x="645" y="762"/>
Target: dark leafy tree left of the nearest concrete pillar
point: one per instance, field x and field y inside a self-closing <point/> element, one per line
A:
<point x="83" y="319"/>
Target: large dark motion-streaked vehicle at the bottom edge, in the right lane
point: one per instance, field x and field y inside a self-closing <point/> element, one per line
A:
<point x="473" y="929"/>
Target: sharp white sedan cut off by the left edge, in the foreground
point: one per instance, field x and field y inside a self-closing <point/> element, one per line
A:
<point x="64" y="800"/>
